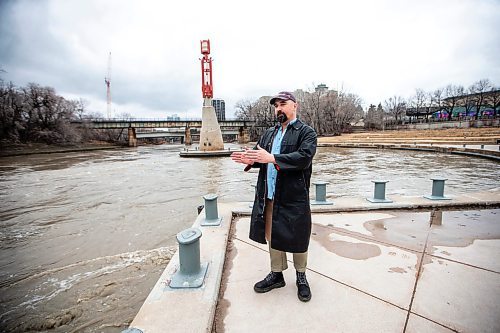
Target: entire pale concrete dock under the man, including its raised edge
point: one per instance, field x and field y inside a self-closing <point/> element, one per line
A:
<point x="392" y="267"/>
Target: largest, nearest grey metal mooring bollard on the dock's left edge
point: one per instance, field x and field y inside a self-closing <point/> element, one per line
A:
<point x="190" y="273"/>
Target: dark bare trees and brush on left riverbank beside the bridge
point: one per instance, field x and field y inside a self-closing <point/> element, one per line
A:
<point x="34" y="113"/>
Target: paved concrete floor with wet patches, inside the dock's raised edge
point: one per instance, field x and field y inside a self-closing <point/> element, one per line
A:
<point x="373" y="272"/>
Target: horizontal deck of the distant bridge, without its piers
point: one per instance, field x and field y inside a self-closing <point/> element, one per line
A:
<point x="157" y="123"/>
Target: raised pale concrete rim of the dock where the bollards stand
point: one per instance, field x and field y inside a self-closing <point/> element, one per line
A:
<point x="194" y="310"/>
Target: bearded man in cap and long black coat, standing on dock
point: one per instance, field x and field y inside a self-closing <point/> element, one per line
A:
<point x="281" y="213"/>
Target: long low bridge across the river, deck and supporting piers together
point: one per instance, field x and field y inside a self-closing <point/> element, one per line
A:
<point x="230" y="126"/>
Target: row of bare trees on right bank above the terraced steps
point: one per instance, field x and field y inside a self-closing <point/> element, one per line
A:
<point x="473" y="102"/>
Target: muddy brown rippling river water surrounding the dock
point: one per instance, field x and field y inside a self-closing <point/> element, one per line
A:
<point x="84" y="236"/>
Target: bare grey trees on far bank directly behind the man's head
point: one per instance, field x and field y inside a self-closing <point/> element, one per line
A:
<point x="329" y="112"/>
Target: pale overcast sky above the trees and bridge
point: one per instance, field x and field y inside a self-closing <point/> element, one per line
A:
<point x="375" y="49"/>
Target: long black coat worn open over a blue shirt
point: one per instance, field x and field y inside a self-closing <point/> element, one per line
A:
<point x="291" y="226"/>
